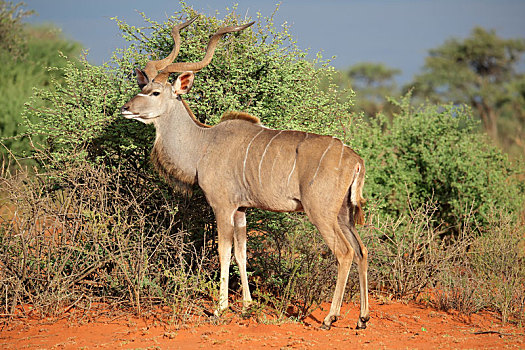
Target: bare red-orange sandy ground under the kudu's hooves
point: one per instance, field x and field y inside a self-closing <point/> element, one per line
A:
<point x="393" y="325"/>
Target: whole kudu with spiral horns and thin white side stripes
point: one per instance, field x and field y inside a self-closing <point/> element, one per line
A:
<point x="241" y="164"/>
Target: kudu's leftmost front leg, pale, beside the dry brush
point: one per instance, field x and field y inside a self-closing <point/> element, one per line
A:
<point x="225" y="240"/>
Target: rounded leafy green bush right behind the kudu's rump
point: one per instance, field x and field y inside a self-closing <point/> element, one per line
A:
<point x="434" y="153"/>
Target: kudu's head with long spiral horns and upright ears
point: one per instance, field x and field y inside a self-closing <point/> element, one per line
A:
<point x="157" y="94"/>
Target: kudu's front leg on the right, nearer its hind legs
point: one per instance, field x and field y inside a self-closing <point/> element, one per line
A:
<point x="239" y="237"/>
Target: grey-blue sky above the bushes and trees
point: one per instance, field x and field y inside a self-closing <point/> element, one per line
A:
<point x="398" y="33"/>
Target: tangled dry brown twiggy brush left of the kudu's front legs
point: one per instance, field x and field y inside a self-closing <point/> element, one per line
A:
<point x="86" y="235"/>
